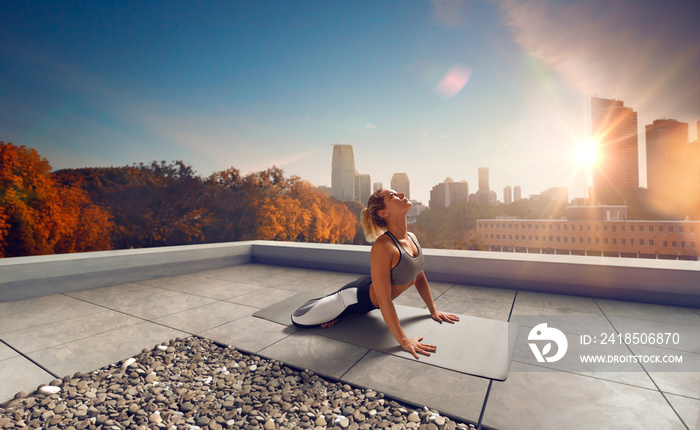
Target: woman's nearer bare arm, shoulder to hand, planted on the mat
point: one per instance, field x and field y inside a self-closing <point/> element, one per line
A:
<point x="380" y="259"/>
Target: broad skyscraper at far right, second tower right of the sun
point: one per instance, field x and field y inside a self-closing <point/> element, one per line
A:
<point x="668" y="156"/>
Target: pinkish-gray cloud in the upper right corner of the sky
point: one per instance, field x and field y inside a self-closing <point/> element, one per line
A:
<point x="645" y="53"/>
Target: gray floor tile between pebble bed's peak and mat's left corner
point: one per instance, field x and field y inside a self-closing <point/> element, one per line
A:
<point x="249" y="333"/>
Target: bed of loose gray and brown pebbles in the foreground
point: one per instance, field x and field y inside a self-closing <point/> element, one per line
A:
<point x="194" y="383"/>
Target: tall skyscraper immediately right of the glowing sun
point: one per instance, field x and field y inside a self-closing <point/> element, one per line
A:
<point x="614" y="129"/>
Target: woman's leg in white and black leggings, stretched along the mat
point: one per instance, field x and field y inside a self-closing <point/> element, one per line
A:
<point x="331" y="307"/>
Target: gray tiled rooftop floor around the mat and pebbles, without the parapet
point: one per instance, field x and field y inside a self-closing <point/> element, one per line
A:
<point x="82" y="331"/>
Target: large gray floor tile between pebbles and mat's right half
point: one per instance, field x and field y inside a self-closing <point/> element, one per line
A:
<point x="420" y="384"/>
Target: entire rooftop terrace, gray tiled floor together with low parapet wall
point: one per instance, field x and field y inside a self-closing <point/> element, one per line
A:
<point x="67" y="313"/>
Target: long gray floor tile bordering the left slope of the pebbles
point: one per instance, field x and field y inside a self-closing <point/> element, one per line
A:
<point x="95" y="352"/>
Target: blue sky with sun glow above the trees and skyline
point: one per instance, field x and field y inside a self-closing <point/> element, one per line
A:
<point x="434" y="89"/>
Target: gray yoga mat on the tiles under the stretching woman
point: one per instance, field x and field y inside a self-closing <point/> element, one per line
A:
<point x="475" y="346"/>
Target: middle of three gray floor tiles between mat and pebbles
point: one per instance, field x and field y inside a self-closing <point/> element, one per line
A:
<point x="327" y="357"/>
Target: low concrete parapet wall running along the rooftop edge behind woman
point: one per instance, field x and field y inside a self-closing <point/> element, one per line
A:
<point x="654" y="281"/>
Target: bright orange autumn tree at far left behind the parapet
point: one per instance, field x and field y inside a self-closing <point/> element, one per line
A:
<point x="39" y="216"/>
